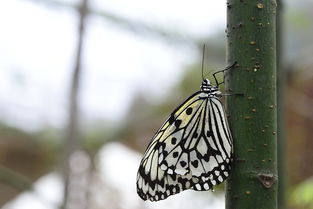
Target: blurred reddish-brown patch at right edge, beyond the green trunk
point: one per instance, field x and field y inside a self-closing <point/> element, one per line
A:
<point x="299" y="128"/>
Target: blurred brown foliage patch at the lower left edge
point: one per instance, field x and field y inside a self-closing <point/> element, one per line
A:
<point x="23" y="159"/>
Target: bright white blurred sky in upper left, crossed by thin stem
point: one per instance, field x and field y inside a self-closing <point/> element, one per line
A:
<point x="38" y="47"/>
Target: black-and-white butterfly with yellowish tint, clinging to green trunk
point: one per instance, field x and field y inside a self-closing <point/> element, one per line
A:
<point x="192" y="150"/>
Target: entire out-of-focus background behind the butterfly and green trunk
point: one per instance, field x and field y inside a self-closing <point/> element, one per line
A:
<point x="85" y="84"/>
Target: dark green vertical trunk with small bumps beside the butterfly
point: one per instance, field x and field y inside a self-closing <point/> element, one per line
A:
<point x="251" y="32"/>
